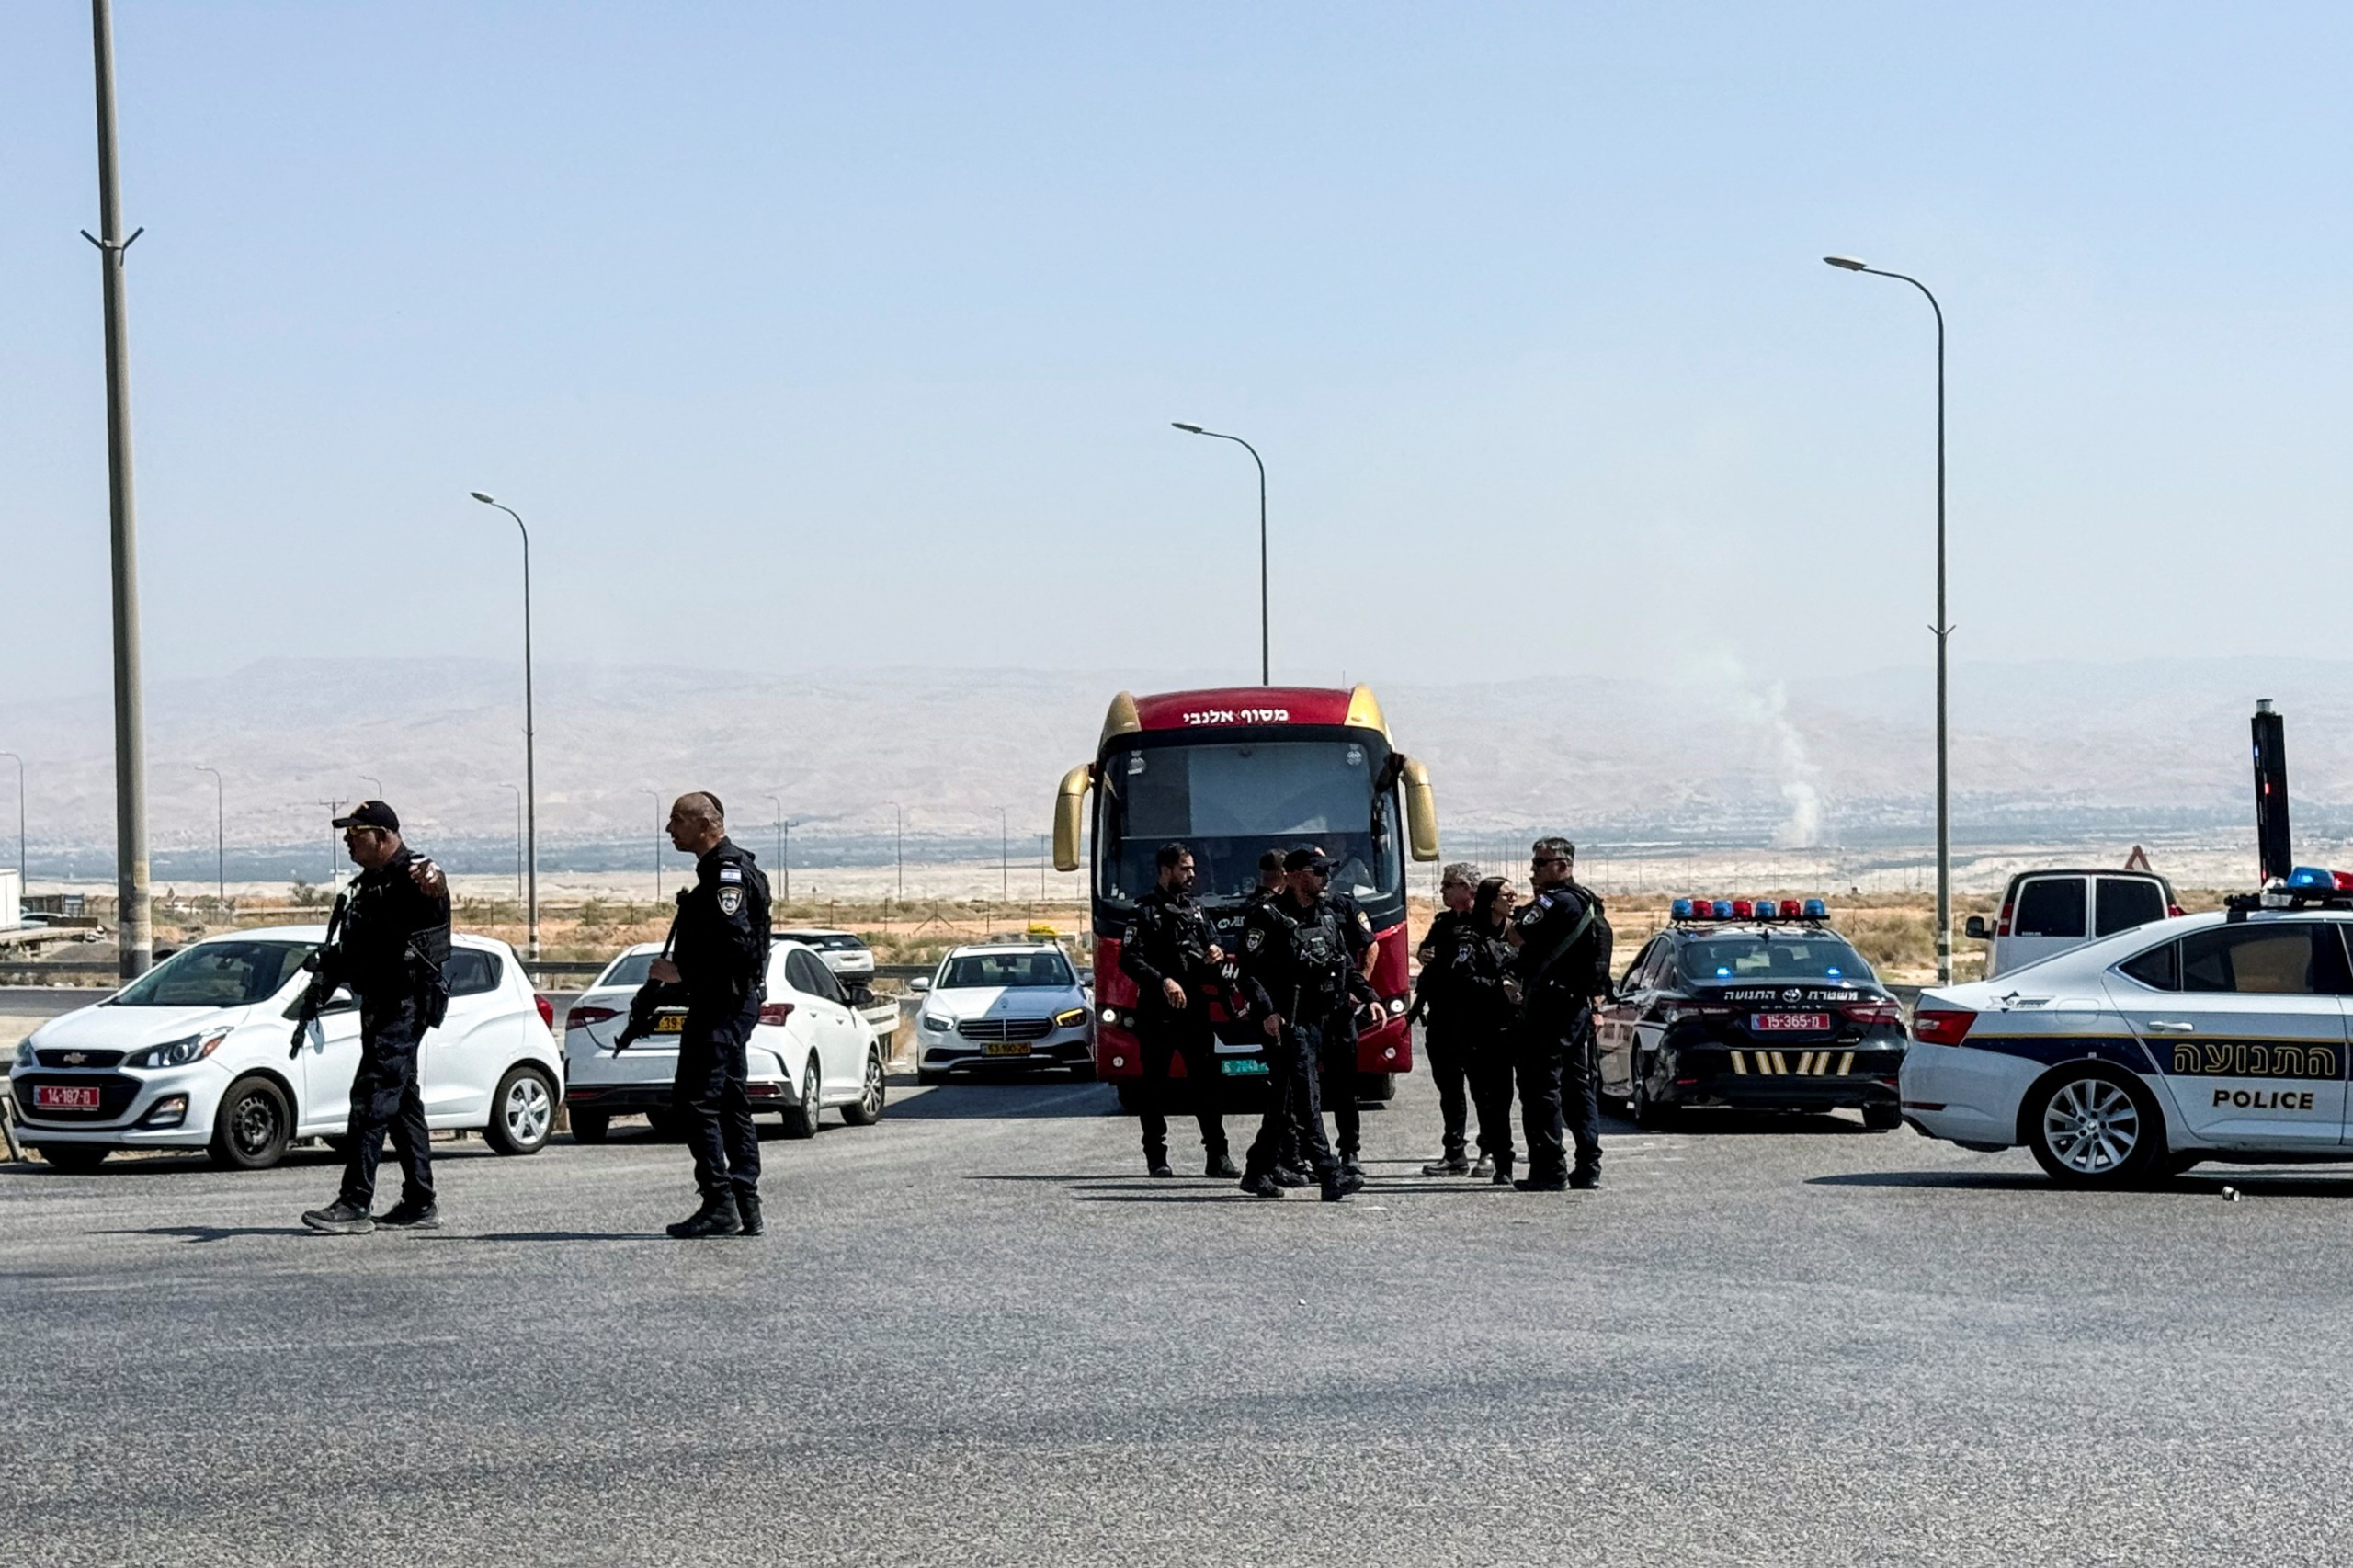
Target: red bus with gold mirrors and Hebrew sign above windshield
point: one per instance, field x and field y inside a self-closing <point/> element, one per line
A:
<point x="1234" y="773"/>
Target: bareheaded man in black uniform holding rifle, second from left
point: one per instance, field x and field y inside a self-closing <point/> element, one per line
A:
<point x="719" y="957"/>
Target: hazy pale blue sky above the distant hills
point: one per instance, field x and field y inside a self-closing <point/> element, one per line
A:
<point x="818" y="335"/>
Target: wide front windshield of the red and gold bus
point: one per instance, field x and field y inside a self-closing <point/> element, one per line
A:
<point x="1232" y="802"/>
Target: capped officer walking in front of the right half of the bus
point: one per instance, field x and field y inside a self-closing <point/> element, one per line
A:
<point x="1295" y="976"/>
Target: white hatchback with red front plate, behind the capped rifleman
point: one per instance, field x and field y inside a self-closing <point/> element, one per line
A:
<point x="194" y="1056"/>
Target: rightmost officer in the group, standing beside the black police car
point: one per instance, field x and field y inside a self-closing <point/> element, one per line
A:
<point x="1561" y="969"/>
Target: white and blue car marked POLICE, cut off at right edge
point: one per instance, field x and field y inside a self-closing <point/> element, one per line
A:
<point x="2142" y="1054"/>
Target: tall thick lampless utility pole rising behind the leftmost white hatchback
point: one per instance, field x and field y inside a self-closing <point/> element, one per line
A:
<point x="133" y="917"/>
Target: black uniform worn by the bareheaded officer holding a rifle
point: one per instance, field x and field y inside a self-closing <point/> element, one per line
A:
<point x="721" y="955"/>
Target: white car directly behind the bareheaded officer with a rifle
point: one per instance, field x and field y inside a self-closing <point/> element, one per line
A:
<point x="808" y="1051"/>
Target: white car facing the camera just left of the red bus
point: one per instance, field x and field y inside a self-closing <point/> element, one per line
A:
<point x="1004" y="1006"/>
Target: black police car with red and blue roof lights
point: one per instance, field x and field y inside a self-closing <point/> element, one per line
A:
<point x="1752" y="1004"/>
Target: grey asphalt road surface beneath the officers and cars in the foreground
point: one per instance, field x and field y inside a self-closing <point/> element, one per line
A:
<point x="978" y="1334"/>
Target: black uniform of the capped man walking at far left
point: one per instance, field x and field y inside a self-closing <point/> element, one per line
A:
<point x="389" y="952"/>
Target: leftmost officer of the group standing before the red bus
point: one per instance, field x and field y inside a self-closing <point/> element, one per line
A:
<point x="1175" y="959"/>
